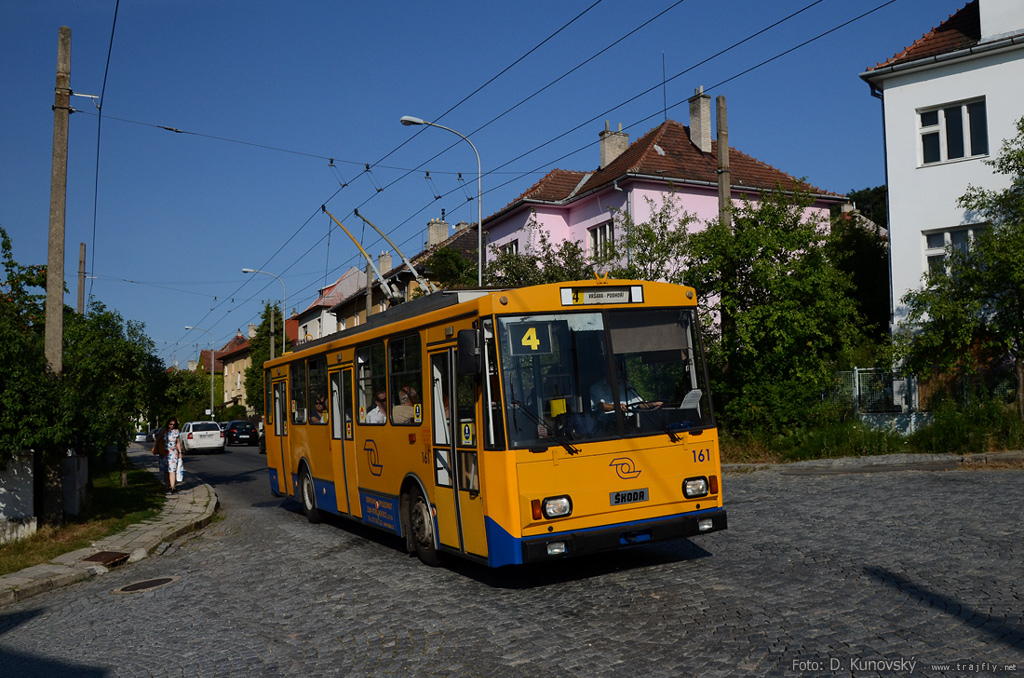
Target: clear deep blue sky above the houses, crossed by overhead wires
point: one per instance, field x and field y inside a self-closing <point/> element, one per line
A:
<point x="268" y="93"/>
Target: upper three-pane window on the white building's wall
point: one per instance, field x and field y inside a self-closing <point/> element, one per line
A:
<point x="952" y="133"/>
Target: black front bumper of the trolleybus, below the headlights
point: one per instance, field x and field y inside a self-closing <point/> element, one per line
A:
<point x="561" y="545"/>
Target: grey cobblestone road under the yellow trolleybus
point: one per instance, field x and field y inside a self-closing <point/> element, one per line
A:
<point x="885" y="574"/>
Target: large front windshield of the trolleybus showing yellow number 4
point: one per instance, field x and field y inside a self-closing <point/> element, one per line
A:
<point x="589" y="376"/>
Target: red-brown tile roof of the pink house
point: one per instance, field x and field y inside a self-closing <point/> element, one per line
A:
<point x="666" y="152"/>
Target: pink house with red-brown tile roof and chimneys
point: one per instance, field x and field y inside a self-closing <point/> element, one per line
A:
<point x="671" y="159"/>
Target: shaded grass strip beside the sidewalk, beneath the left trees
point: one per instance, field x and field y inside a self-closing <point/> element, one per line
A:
<point x="111" y="510"/>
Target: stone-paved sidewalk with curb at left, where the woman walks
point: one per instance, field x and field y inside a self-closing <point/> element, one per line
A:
<point x="189" y="510"/>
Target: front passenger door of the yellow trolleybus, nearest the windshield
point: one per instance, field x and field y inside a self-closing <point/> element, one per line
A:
<point x="457" y="479"/>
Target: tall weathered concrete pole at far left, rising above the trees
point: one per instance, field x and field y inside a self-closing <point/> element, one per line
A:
<point x="54" y="338"/>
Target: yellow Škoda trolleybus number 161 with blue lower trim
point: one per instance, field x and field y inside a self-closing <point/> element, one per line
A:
<point x="506" y="427"/>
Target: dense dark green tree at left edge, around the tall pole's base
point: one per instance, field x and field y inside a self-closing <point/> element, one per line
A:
<point x="98" y="399"/>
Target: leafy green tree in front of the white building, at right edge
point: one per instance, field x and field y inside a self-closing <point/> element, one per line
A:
<point x="972" y="313"/>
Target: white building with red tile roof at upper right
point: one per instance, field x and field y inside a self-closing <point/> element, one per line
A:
<point x="949" y="102"/>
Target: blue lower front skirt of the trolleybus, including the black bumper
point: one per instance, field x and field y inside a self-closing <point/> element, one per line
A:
<point x="503" y="549"/>
